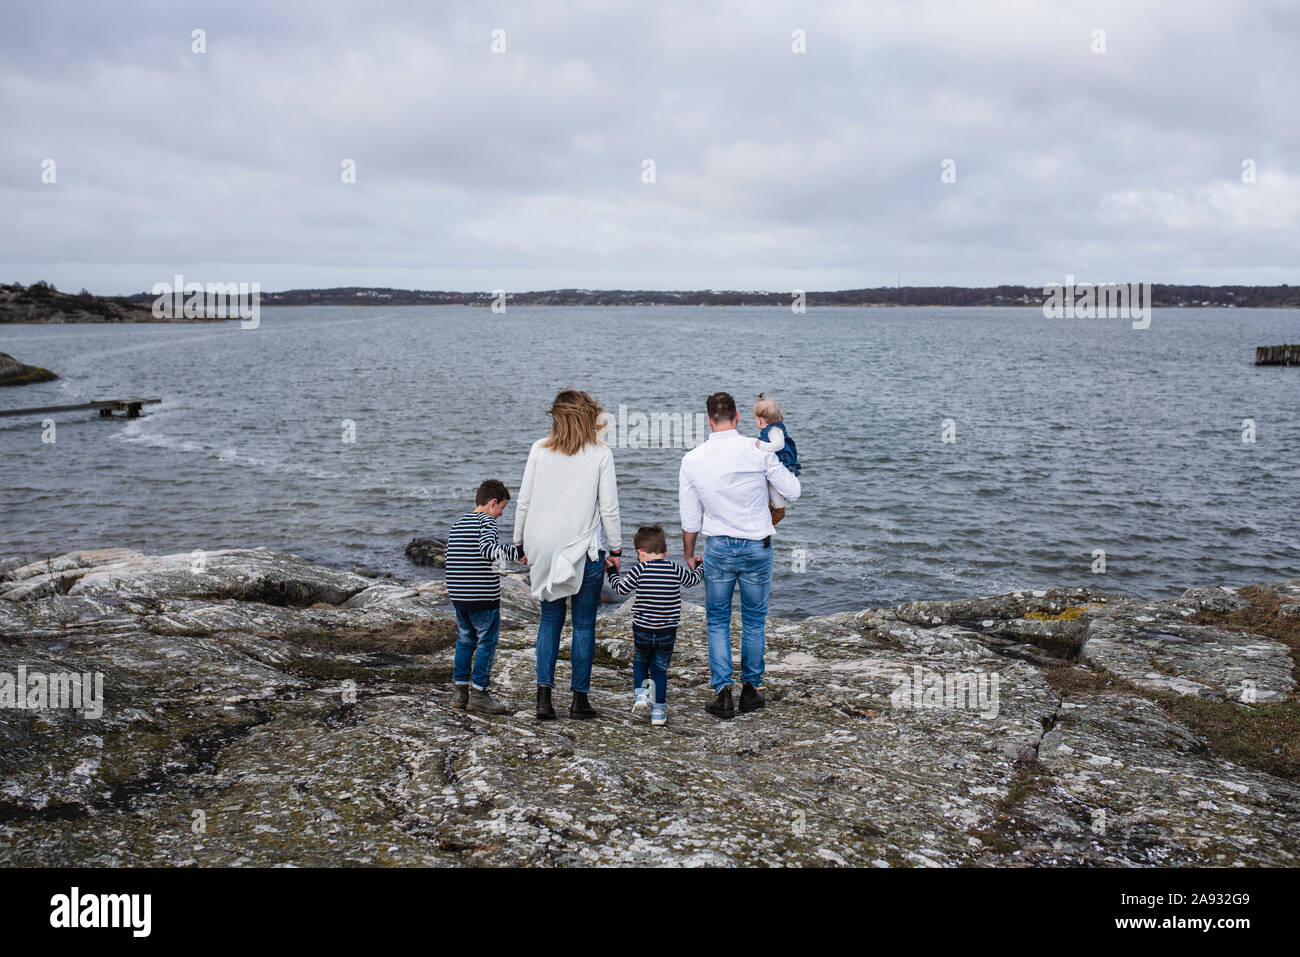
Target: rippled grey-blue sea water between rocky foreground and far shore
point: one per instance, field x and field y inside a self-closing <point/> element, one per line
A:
<point x="1071" y="436"/>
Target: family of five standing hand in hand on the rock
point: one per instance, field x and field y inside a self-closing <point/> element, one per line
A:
<point x="731" y="488"/>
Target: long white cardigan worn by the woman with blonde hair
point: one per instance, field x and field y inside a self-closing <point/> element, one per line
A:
<point x="567" y="512"/>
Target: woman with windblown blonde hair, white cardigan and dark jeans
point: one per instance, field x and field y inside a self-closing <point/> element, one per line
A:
<point x="567" y="522"/>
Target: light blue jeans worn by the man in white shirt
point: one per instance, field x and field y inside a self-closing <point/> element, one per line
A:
<point x="727" y="564"/>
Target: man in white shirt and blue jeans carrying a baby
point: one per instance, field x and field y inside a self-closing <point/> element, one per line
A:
<point x="723" y="492"/>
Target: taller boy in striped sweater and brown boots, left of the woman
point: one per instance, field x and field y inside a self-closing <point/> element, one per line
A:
<point x="475" y="591"/>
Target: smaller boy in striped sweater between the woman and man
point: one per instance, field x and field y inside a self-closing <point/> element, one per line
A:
<point x="656" y="617"/>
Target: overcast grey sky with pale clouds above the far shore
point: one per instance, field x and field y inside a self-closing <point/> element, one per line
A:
<point x="774" y="170"/>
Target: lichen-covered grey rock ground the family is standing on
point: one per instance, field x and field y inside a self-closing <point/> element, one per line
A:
<point x="265" y="711"/>
